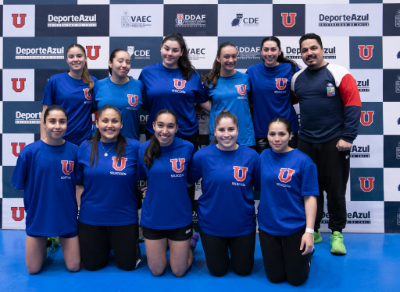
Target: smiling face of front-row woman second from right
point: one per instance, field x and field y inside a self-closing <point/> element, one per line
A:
<point x="226" y="133"/>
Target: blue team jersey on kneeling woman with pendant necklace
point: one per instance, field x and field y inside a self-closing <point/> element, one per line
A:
<point x="109" y="197"/>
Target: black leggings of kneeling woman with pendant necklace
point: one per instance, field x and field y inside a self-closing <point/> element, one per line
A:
<point x="96" y="242"/>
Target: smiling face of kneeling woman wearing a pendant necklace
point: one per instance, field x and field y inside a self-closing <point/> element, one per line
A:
<point x="109" y="124"/>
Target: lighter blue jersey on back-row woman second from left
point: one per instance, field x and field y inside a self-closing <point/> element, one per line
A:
<point x="126" y="97"/>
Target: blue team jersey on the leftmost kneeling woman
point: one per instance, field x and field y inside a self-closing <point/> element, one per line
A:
<point x="46" y="174"/>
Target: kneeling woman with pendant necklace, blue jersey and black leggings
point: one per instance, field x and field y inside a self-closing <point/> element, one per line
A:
<point x="108" y="218"/>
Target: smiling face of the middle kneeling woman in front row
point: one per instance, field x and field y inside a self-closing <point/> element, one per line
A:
<point x="165" y="128"/>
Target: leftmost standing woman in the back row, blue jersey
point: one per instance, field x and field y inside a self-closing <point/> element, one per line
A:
<point x="73" y="91"/>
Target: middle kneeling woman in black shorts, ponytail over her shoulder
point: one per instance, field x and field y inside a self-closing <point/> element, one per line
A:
<point x="167" y="210"/>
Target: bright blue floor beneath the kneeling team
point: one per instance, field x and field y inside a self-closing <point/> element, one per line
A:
<point x="372" y="263"/>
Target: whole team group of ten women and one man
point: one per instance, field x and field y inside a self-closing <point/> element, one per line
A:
<point x="255" y="139"/>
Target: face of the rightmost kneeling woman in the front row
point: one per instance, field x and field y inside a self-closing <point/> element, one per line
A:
<point x="279" y="137"/>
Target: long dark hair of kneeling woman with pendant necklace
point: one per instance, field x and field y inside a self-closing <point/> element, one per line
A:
<point x="120" y="143"/>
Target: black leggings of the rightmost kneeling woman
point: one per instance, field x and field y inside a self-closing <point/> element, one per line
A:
<point x="282" y="258"/>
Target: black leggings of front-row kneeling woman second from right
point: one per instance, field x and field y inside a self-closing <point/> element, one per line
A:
<point x="217" y="255"/>
